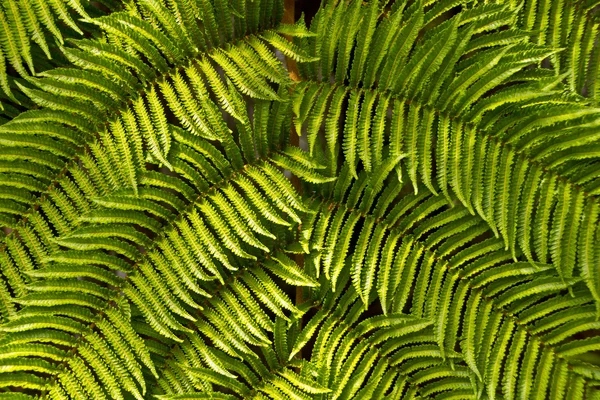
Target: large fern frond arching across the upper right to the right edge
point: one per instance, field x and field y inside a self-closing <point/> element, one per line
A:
<point x="465" y="144"/>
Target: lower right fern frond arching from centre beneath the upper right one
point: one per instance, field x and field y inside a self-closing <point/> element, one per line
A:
<point x="509" y="324"/>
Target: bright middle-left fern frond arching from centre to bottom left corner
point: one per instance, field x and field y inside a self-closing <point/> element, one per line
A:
<point x="161" y="251"/>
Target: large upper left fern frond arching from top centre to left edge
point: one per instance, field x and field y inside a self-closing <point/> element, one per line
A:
<point x="115" y="90"/>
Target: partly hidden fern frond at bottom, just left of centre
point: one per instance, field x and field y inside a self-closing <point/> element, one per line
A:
<point x="250" y="353"/>
